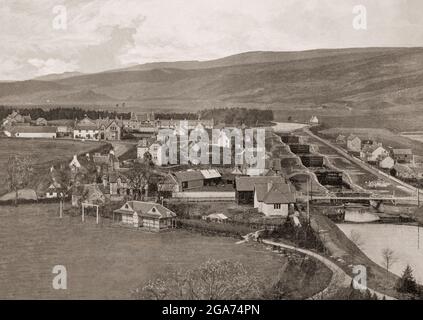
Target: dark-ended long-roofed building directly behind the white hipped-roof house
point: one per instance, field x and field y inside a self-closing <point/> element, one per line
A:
<point x="245" y="187"/>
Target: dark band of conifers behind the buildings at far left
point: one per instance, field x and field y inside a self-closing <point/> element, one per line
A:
<point x="62" y="113"/>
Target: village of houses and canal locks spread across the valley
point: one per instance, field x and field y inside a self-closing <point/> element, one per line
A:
<point x="139" y="180"/>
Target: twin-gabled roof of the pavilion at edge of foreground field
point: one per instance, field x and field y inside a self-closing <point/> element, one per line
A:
<point x="146" y="209"/>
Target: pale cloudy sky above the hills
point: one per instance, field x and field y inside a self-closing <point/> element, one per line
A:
<point x="55" y="36"/>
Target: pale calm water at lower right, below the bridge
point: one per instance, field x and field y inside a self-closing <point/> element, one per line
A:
<point x="402" y="239"/>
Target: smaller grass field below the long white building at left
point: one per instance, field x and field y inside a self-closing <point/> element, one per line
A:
<point x="42" y="152"/>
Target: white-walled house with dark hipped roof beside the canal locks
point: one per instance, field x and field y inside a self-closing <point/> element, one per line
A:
<point x="273" y="199"/>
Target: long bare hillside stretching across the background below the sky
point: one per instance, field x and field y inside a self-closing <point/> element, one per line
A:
<point x="361" y="78"/>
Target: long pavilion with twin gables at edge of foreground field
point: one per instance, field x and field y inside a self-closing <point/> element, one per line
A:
<point x="146" y="215"/>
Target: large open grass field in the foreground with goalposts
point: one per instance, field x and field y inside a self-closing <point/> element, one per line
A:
<point x="104" y="261"/>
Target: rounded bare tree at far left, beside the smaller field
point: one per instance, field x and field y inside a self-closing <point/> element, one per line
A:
<point x="18" y="174"/>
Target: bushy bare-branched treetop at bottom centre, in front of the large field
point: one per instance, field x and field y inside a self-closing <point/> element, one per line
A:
<point x="223" y="280"/>
